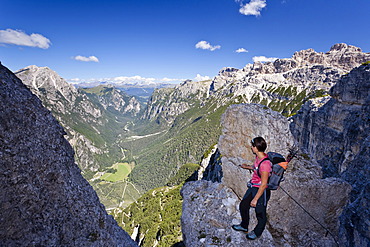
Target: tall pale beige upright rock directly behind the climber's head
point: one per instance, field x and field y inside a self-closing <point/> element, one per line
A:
<point x="241" y="123"/>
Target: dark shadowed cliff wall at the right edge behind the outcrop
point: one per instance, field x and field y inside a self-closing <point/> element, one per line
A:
<point x="337" y="136"/>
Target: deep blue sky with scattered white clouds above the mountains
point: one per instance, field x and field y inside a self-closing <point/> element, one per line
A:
<point x="159" y="40"/>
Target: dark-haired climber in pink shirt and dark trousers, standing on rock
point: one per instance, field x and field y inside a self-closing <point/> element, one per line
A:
<point x="257" y="195"/>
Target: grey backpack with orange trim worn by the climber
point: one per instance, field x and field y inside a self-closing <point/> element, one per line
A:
<point x="278" y="167"/>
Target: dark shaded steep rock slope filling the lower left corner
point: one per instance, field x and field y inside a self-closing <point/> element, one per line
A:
<point x="44" y="199"/>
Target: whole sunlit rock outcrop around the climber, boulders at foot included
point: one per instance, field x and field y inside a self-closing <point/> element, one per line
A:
<point x="288" y="225"/>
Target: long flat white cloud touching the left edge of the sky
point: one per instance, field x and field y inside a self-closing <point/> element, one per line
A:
<point x="17" y="37"/>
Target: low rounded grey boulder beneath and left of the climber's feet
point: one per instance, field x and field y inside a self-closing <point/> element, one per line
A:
<point x="209" y="210"/>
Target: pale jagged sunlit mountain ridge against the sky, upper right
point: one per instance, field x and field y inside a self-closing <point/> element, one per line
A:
<point x="307" y="71"/>
